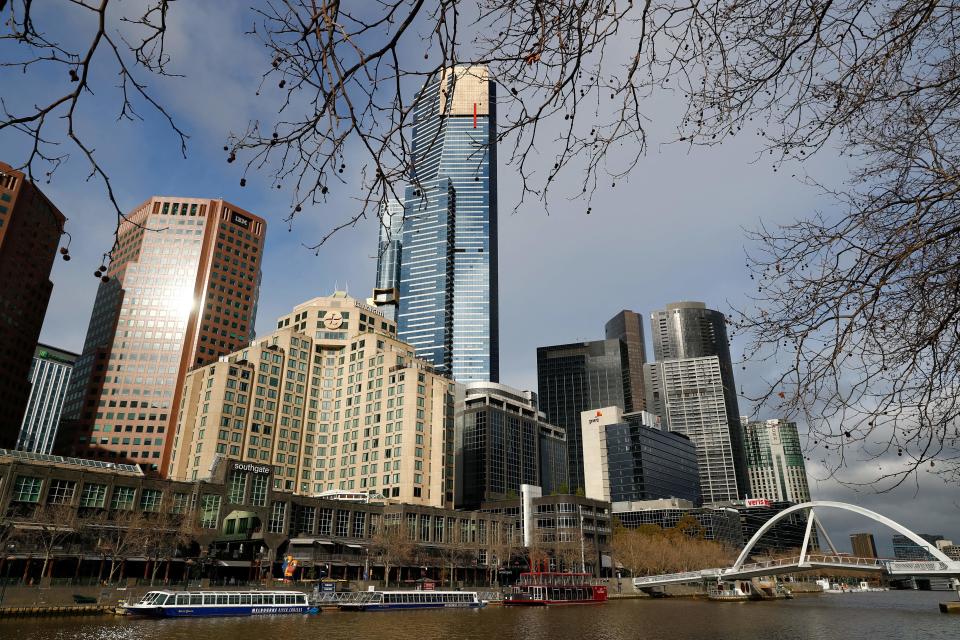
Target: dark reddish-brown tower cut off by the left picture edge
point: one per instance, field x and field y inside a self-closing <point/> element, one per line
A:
<point x="30" y="229"/>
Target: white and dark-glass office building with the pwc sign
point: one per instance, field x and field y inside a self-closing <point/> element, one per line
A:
<point x="627" y="458"/>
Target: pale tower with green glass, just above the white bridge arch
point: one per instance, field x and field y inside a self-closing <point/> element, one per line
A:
<point x="775" y="461"/>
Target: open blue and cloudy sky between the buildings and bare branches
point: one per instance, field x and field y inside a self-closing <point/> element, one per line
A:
<point x="673" y="231"/>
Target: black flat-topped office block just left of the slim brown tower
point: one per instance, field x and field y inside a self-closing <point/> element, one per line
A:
<point x="573" y="378"/>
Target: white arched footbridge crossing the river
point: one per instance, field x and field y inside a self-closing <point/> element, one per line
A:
<point x="941" y="565"/>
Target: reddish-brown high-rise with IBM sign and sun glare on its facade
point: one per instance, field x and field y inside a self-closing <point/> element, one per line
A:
<point x="184" y="279"/>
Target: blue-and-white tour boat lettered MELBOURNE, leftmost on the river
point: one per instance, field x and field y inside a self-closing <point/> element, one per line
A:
<point x="199" y="604"/>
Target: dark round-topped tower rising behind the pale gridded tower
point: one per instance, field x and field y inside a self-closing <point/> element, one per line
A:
<point x="687" y="331"/>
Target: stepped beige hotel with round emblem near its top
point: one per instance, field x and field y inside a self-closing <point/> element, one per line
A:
<point x="332" y="400"/>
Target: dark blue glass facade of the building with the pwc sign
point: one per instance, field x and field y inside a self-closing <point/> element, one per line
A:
<point x="645" y="464"/>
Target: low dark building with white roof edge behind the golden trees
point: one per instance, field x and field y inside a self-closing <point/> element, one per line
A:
<point x="719" y="525"/>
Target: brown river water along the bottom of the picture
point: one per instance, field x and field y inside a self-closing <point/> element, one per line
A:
<point x="867" y="616"/>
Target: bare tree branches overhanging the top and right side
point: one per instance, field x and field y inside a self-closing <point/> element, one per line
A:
<point x="855" y="316"/>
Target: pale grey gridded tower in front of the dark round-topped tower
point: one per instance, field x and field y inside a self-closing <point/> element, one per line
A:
<point x="690" y="395"/>
